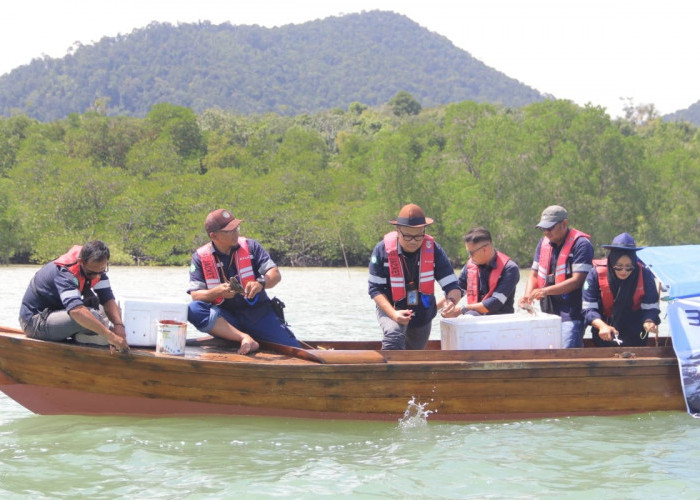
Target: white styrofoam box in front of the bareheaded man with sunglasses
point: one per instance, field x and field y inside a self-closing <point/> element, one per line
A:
<point x="501" y="331"/>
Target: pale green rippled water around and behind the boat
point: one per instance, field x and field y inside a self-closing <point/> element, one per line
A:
<point x="649" y="455"/>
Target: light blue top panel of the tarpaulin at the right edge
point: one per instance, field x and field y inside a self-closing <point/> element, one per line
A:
<point x="677" y="267"/>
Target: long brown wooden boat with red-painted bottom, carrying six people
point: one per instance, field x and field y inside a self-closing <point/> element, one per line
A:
<point x="354" y="380"/>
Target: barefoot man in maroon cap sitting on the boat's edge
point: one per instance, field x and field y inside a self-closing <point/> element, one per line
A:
<point x="228" y="278"/>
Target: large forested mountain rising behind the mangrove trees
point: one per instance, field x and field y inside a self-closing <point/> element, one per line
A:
<point x="292" y="69"/>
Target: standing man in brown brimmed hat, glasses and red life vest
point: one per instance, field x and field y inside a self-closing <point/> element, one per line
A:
<point x="402" y="273"/>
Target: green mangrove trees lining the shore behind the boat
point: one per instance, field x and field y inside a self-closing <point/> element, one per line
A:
<point x="319" y="189"/>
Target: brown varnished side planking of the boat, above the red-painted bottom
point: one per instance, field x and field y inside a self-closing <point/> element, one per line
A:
<point x="455" y="384"/>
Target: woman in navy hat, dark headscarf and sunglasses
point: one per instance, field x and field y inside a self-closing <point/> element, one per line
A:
<point x="620" y="299"/>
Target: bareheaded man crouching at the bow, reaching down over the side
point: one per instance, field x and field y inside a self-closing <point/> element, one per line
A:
<point x="63" y="300"/>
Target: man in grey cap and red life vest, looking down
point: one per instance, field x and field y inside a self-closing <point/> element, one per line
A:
<point x="563" y="258"/>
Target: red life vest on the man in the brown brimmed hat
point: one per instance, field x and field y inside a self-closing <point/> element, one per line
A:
<point x="426" y="280"/>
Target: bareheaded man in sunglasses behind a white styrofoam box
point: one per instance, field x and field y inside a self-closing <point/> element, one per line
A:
<point x="488" y="278"/>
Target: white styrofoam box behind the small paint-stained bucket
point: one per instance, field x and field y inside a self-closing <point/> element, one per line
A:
<point x="141" y="317"/>
